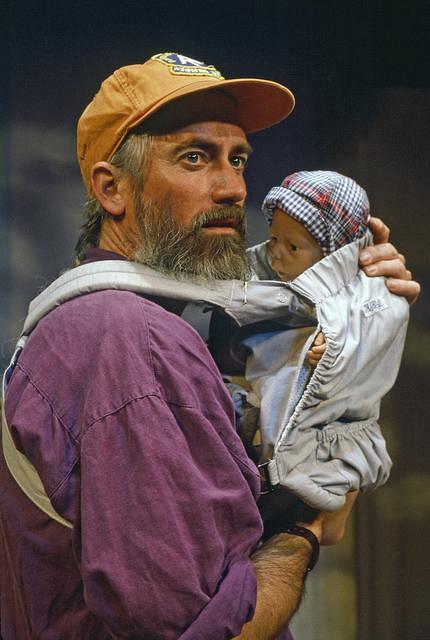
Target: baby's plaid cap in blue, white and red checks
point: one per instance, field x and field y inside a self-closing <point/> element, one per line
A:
<point x="332" y="207"/>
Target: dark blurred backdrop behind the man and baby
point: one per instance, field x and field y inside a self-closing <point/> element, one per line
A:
<point x="360" y="73"/>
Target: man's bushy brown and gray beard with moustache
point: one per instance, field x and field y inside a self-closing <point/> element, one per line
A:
<point x="173" y="250"/>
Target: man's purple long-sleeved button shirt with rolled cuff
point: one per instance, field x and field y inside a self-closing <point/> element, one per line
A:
<point x="122" y="411"/>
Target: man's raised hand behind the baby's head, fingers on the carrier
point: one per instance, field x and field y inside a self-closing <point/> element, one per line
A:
<point x="383" y="259"/>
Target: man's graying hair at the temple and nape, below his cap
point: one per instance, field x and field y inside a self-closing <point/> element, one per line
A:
<point x="132" y="158"/>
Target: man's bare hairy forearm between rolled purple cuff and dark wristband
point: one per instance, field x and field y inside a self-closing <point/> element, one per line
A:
<point x="280" y="568"/>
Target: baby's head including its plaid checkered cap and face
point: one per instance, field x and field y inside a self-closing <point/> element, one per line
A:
<point x="312" y="214"/>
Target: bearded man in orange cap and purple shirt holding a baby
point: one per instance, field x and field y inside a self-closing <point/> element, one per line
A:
<point x="117" y="404"/>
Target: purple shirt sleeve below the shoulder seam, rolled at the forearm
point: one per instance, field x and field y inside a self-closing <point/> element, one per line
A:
<point x="168" y="523"/>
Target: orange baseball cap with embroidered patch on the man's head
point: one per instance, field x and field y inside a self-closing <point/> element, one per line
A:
<point x="134" y="93"/>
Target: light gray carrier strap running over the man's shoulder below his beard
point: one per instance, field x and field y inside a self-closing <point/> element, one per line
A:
<point x="245" y="302"/>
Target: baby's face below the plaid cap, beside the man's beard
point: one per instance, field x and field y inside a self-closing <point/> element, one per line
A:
<point x="292" y="249"/>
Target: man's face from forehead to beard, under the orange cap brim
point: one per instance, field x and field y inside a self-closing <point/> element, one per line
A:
<point x="190" y="213"/>
